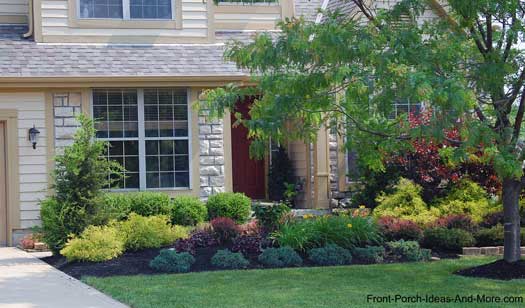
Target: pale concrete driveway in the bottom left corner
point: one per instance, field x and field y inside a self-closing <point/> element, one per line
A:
<point x="28" y="282"/>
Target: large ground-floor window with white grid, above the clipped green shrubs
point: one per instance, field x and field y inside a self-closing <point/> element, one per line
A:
<point x="148" y="134"/>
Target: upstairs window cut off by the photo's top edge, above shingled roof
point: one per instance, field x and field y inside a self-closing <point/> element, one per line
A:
<point x="125" y="9"/>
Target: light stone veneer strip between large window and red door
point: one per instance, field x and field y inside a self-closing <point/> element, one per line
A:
<point x="211" y="155"/>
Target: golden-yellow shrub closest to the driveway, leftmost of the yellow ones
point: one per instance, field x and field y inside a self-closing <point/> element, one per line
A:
<point x="95" y="244"/>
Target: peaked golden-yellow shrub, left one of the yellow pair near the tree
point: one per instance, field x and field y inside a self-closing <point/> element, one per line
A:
<point x="405" y="203"/>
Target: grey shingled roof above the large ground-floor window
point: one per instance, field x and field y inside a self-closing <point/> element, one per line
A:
<point x="24" y="58"/>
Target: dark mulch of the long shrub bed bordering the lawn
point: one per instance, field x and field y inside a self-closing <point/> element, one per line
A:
<point x="137" y="263"/>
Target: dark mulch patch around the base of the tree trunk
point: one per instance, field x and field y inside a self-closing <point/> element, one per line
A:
<point x="500" y="270"/>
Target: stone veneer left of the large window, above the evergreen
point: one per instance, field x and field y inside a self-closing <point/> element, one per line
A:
<point x="66" y="106"/>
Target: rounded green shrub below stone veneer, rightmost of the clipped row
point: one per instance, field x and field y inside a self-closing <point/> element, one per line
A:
<point x="232" y="205"/>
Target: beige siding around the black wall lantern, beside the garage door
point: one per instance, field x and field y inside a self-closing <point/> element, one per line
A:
<point x="33" y="173"/>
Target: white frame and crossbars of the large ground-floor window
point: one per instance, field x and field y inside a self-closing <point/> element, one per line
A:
<point x="142" y="140"/>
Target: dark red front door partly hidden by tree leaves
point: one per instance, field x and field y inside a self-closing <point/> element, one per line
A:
<point x="248" y="174"/>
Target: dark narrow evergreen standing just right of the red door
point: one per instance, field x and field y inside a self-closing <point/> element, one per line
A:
<point x="280" y="174"/>
